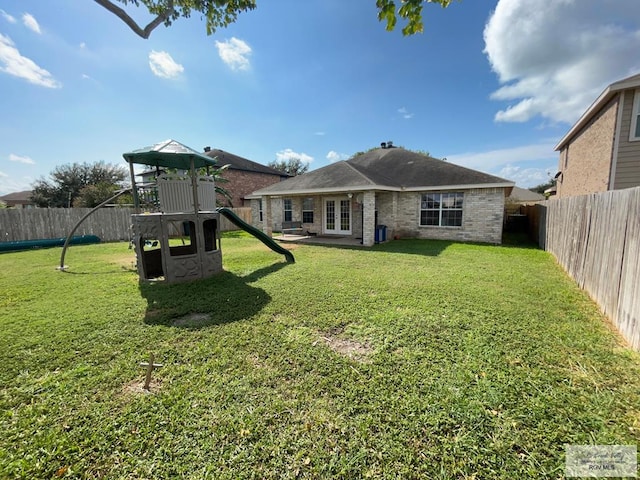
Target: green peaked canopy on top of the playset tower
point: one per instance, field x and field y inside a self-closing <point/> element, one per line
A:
<point x="170" y="154"/>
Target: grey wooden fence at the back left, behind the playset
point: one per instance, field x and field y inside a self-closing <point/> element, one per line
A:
<point x="110" y="224"/>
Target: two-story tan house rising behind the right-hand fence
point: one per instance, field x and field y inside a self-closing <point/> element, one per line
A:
<point x="602" y="150"/>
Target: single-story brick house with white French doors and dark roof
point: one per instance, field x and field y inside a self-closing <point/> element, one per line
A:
<point x="411" y="194"/>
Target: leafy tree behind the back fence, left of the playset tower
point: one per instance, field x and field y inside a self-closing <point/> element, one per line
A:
<point x="67" y="181"/>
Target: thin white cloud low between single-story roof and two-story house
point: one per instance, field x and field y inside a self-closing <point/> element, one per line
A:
<point x="492" y="159"/>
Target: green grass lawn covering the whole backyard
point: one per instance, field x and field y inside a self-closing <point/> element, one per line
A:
<point x="414" y="359"/>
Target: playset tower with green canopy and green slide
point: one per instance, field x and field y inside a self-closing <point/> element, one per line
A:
<point x="178" y="239"/>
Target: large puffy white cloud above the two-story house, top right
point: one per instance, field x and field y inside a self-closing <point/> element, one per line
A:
<point x="555" y="57"/>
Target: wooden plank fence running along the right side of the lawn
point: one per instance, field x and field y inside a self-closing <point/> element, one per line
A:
<point x="596" y="238"/>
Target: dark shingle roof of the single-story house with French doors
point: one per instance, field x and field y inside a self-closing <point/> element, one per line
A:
<point x="385" y="169"/>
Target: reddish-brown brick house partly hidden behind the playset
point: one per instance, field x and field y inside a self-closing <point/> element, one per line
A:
<point x="244" y="176"/>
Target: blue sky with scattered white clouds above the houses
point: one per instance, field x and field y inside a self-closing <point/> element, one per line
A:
<point x="491" y="84"/>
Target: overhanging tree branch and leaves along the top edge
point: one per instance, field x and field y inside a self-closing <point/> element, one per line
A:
<point x="220" y="13"/>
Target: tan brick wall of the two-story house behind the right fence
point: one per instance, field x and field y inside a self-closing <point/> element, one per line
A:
<point x="585" y="162"/>
